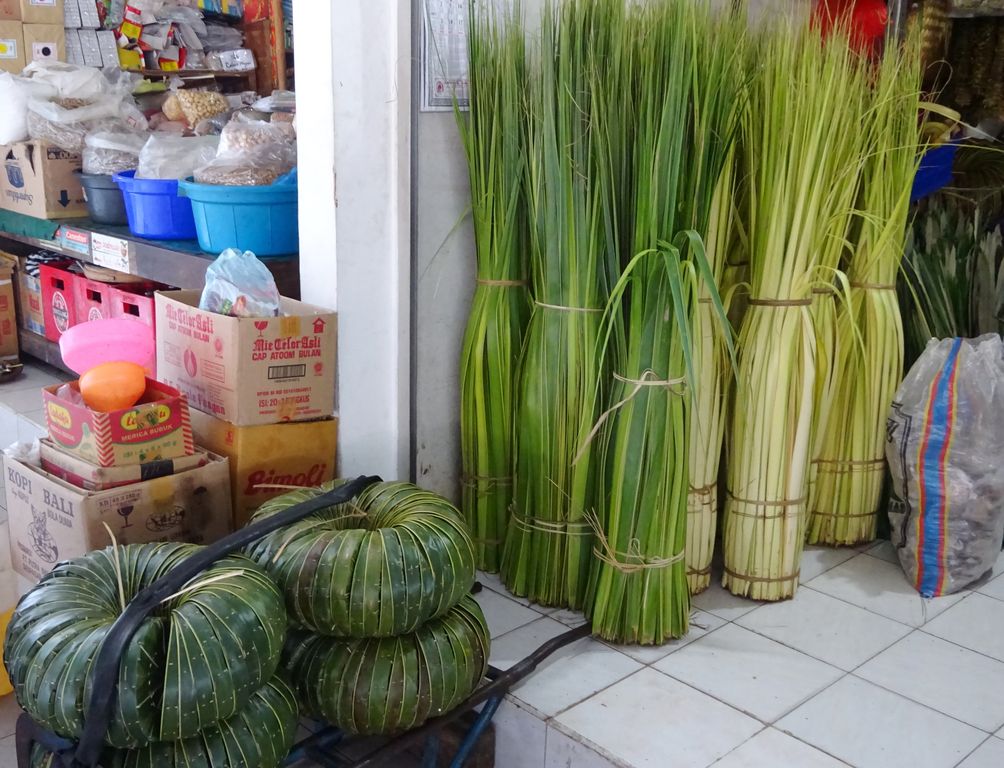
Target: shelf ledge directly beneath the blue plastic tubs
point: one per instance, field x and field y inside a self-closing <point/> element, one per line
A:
<point x="181" y="265"/>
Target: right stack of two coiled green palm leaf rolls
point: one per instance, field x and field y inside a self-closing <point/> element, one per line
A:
<point x="390" y="636"/>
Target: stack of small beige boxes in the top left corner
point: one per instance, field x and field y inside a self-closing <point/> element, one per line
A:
<point x="32" y="31"/>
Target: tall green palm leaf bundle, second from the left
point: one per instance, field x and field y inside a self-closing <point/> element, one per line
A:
<point x="574" y="265"/>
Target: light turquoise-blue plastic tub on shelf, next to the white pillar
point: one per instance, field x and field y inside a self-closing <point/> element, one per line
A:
<point x="263" y="220"/>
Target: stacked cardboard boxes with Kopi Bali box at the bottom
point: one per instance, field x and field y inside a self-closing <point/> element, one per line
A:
<point x="137" y="471"/>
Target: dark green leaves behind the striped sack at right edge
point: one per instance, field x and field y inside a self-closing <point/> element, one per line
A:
<point x="954" y="276"/>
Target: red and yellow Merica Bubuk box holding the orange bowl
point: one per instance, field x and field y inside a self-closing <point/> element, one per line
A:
<point x="159" y="428"/>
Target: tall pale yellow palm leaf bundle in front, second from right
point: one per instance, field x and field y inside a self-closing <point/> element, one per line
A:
<point x="801" y="106"/>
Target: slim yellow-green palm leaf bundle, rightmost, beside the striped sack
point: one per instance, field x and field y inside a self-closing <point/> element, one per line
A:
<point x="870" y="363"/>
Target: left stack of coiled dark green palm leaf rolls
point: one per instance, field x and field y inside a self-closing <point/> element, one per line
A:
<point x="197" y="683"/>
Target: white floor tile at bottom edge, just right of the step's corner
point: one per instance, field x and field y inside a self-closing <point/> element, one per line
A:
<point x="653" y="721"/>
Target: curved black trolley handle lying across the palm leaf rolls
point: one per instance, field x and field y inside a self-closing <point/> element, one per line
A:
<point x="105" y="673"/>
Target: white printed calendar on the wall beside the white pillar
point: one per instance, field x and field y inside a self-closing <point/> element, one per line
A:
<point x="444" y="56"/>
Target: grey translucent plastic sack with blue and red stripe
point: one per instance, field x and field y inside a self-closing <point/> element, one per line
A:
<point x="944" y="446"/>
